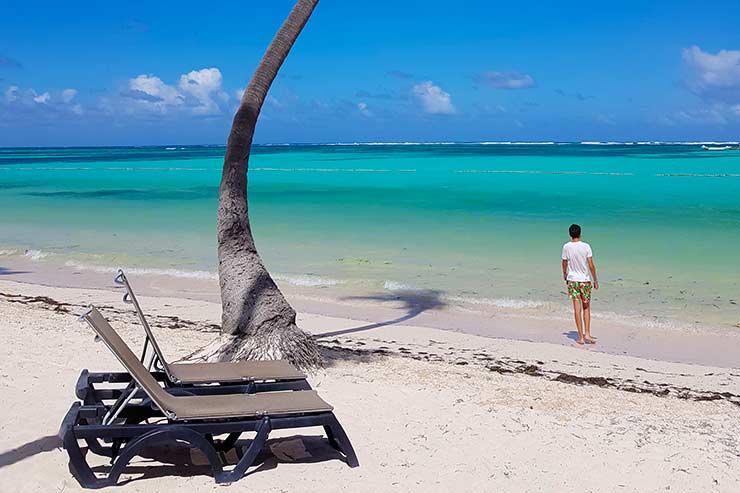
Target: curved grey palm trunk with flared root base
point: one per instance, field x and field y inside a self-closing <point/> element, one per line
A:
<point x="257" y="321"/>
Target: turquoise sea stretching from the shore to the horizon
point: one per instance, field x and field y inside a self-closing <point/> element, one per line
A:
<point x="479" y="223"/>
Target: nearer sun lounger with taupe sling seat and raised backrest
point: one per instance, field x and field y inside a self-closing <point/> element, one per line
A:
<point x="192" y="419"/>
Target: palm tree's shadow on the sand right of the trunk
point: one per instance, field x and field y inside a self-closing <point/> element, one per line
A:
<point x="414" y="303"/>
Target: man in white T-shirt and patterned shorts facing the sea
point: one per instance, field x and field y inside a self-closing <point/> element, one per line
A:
<point x="579" y="272"/>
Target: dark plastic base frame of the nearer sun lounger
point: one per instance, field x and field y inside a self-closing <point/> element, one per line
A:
<point x="132" y="437"/>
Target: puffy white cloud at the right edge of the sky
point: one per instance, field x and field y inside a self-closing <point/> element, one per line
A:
<point x="714" y="76"/>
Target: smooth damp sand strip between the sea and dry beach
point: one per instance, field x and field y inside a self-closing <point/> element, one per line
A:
<point x="423" y="310"/>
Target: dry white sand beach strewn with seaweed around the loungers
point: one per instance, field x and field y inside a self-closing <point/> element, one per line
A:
<point x="426" y="409"/>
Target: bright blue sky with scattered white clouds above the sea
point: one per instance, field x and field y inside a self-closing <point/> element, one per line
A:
<point x="136" y="73"/>
